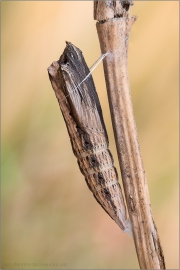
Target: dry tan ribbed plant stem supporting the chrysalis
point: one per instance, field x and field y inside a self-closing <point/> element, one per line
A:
<point x="113" y="32"/>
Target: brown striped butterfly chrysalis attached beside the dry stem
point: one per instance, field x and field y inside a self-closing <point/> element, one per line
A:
<point x="82" y="113"/>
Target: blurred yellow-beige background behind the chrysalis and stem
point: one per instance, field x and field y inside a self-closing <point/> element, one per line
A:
<point x="50" y="219"/>
